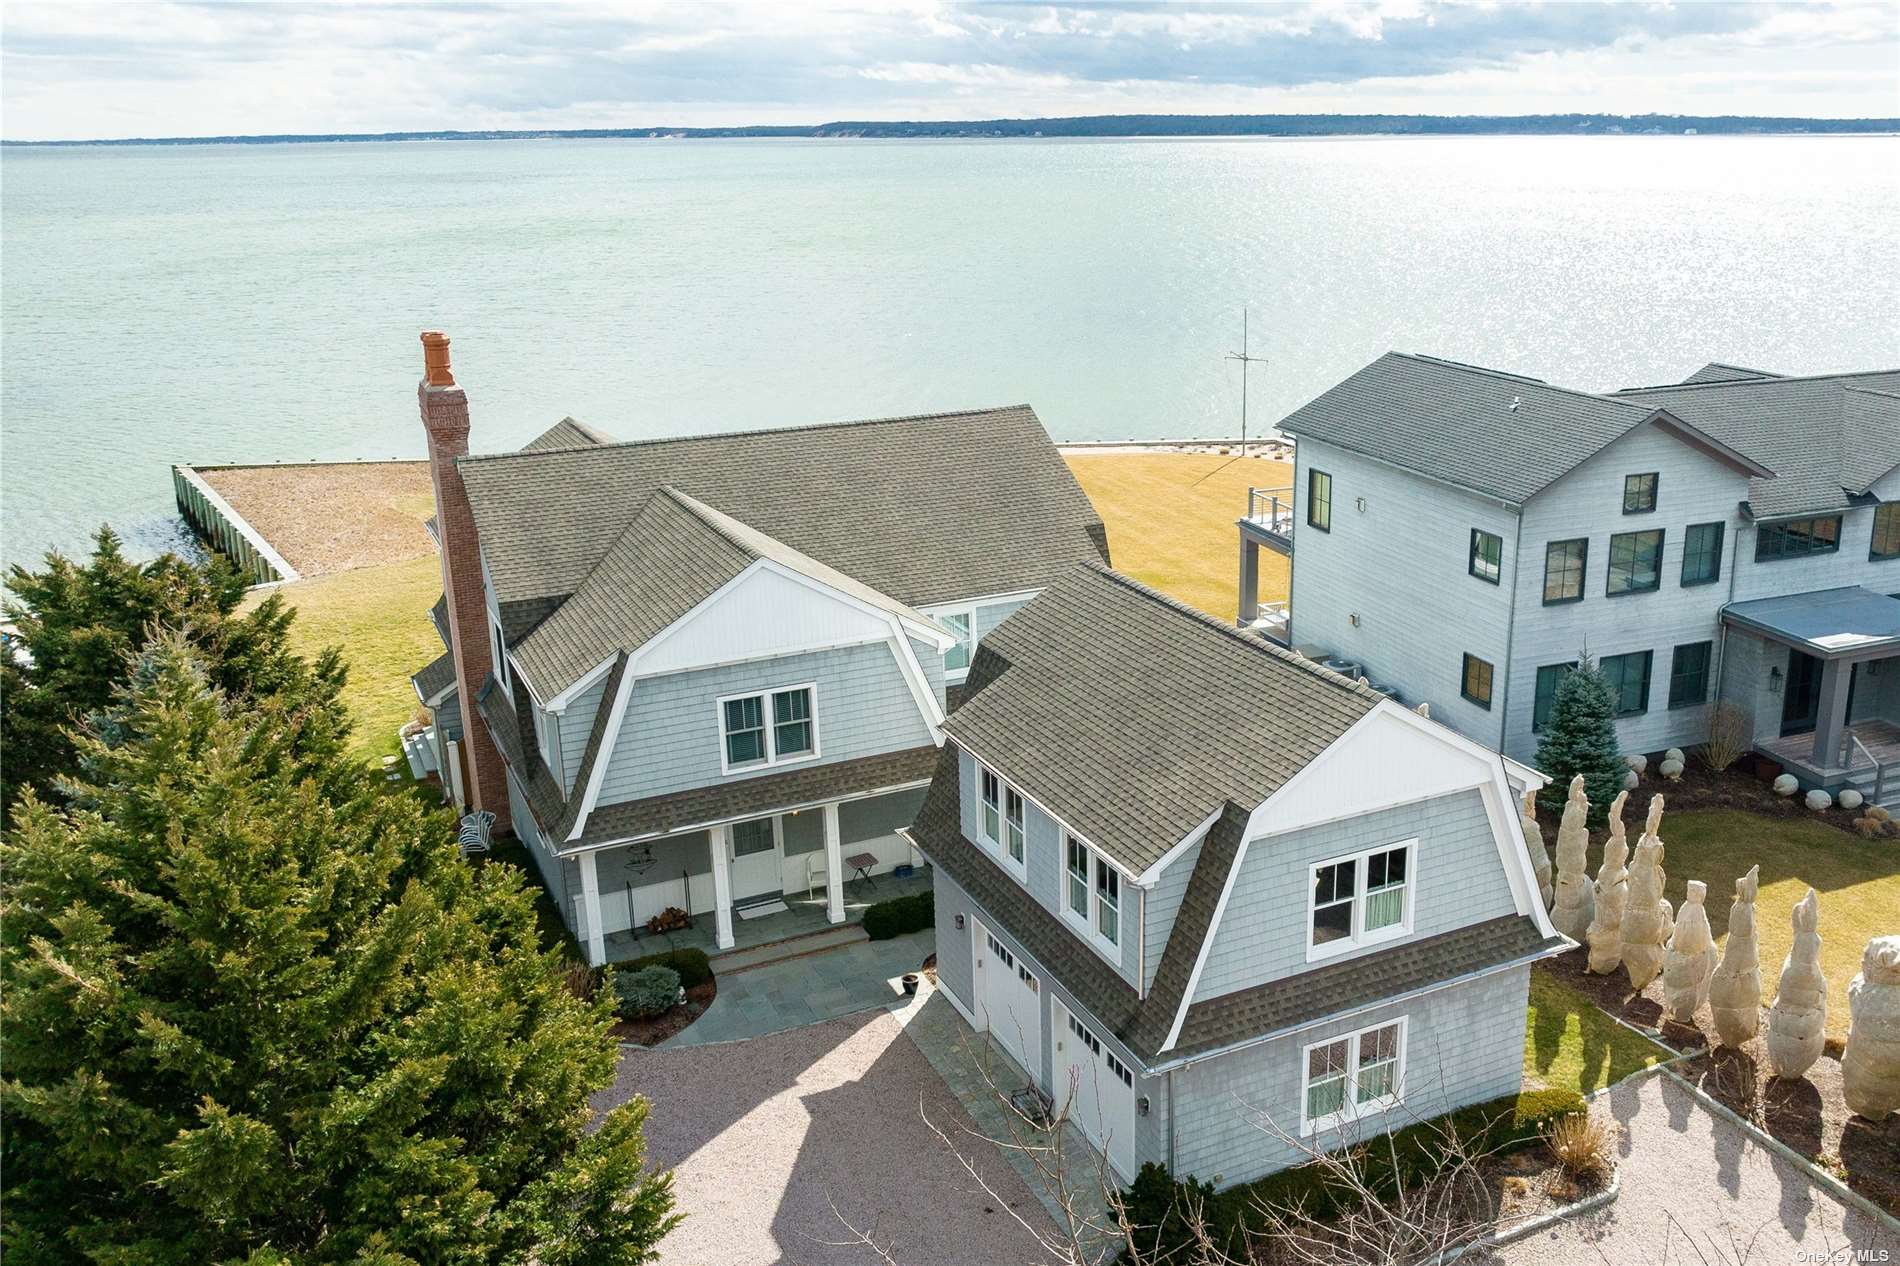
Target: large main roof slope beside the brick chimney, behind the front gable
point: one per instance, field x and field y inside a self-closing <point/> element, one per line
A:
<point x="924" y="508"/>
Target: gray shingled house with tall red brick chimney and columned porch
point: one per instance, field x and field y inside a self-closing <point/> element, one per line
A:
<point x="712" y="674"/>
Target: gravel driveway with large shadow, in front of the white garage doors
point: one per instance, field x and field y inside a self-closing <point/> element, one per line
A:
<point x="767" y="1136"/>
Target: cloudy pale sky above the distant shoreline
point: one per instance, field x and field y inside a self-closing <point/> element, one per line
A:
<point x="71" y="69"/>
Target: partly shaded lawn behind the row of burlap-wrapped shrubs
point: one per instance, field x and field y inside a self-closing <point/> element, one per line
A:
<point x="1857" y="881"/>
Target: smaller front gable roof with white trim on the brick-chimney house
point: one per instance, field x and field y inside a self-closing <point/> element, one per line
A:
<point x="674" y="556"/>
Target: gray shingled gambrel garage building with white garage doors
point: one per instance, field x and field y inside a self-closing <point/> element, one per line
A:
<point x="1188" y="879"/>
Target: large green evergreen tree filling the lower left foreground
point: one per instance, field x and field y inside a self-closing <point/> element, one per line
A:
<point x="257" y="1010"/>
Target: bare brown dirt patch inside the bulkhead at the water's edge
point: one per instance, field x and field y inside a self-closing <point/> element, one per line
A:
<point x="333" y="516"/>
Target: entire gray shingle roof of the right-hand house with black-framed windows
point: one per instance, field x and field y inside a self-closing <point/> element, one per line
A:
<point x="1508" y="436"/>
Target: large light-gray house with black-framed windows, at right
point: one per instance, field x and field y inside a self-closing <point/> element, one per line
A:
<point x="1462" y="535"/>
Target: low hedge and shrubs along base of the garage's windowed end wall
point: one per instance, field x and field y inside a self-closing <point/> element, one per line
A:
<point x="1158" y="1202"/>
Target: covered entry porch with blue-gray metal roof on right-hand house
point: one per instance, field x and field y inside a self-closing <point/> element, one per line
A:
<point x="1819" y="678"/>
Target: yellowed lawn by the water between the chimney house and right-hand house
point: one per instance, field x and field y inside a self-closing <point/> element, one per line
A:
<point x="1171" y="522"/>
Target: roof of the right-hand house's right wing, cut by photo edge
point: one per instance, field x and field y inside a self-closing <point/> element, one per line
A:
<point x="1800" y="429"/>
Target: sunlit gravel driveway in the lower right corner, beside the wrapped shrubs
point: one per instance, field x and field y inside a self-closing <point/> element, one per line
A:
<point x="1698" y="1191"/>
